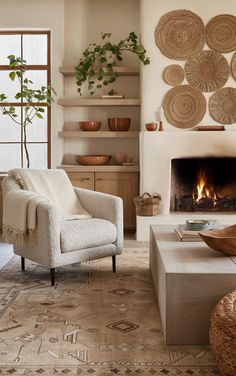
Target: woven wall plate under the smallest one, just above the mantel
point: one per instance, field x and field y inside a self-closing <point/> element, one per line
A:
<point x="184" y="106"/>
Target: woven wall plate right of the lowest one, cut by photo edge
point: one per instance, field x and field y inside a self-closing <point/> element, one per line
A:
<point x="222" y="105"/>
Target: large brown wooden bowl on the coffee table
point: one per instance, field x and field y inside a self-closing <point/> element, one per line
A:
<point x="221" y="240"/>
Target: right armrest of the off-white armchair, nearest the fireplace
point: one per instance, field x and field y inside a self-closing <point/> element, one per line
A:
<point x="105" y="206"/>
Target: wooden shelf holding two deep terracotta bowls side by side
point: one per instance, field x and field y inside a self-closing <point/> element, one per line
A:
<point x="98" y="134"/>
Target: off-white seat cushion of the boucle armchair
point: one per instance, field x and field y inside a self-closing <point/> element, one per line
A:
<point x="86" y="233"/>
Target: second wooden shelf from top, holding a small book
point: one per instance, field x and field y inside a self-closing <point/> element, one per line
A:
<point x="98" y="102"/>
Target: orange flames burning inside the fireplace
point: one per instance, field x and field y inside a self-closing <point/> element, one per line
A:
<point x="204" y="189"/>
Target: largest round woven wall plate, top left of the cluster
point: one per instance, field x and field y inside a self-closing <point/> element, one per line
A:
<point x="180" y="34"/>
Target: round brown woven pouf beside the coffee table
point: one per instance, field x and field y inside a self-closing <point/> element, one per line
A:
<point x="223" y="334"/>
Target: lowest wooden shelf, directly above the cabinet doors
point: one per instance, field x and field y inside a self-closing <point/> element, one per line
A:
<point x="105" y="168"/>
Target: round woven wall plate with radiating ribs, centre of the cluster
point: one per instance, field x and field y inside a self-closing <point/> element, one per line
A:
<point x="208" y="71"/>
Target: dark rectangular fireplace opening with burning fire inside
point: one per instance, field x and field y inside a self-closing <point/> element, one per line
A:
<point x="203" y="185"/>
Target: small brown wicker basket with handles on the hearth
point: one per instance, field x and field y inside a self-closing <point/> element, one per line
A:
<point x="147" y="205"/>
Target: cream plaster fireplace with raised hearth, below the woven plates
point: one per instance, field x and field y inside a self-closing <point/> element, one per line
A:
<point x="159" y="150"/>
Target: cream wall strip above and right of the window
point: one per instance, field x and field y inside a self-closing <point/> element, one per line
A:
<point x="49" y="15"/>
